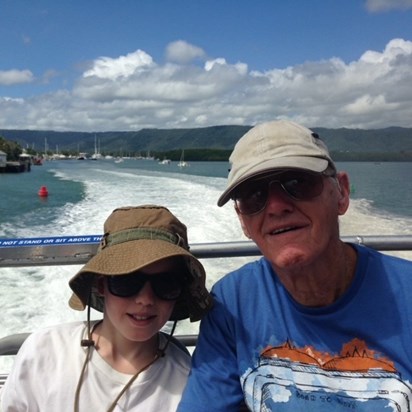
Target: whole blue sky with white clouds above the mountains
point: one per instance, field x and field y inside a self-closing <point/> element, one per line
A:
<point x="123" y="65"/>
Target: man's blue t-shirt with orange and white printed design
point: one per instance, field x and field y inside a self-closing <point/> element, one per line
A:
<point x="259" y="345"/>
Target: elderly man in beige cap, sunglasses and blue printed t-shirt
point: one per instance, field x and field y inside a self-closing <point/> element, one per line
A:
<point x="316" y="324"/>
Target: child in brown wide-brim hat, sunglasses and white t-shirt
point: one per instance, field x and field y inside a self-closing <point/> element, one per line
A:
<point x="142" y="276"/>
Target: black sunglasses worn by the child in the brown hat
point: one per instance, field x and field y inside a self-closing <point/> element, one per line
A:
<point x="166" y="286"/>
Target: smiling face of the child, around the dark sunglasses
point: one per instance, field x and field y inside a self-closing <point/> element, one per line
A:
<point x="138" y="318"/>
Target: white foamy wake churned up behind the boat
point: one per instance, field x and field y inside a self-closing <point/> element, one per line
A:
<point x="37" y="297"/>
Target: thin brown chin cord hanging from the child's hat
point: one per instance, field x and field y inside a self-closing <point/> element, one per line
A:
<point x="89" y="344"/>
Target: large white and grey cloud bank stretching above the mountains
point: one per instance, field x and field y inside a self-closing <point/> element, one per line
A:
<point x="132" y="92"/>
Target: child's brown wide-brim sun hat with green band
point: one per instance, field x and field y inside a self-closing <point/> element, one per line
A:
<point x="135" y="237"/>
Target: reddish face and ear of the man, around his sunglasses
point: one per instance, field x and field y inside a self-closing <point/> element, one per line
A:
<point x="293" y="232"/>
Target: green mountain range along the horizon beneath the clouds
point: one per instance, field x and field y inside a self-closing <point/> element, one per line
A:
<point x="211" y="143"/>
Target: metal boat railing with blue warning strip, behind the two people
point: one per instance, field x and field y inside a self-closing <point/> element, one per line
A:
<point x="77" y="250"/>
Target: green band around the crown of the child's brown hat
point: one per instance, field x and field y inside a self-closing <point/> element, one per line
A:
<point x="140" y="234"/>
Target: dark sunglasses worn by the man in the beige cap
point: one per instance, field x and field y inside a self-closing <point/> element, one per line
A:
<point x="251" y="197"/>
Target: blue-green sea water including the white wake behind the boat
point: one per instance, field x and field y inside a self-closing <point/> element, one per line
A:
<point x="83" y="193"/>
